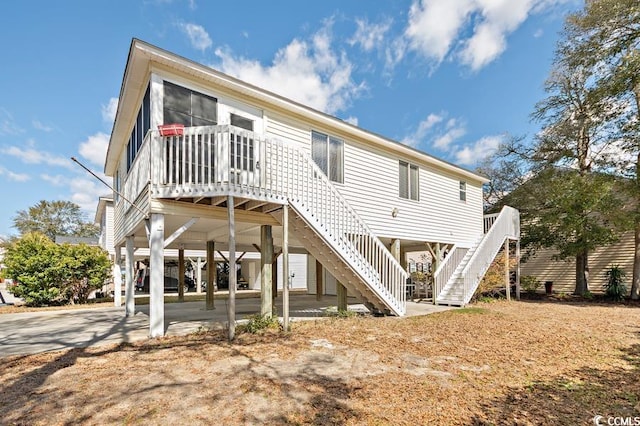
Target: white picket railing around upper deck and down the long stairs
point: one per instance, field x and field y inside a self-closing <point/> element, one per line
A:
<point x="211" y="160"/>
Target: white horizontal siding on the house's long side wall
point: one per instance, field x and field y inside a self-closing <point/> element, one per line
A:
<point x="371" y="187"/>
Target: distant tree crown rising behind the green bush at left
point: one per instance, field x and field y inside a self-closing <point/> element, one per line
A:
<point x="53" y="218"/>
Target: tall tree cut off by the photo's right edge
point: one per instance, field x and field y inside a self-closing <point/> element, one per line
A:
<point x="605" y="37"/>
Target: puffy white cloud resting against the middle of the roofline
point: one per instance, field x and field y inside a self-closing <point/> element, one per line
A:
<point x="307" y="71"/>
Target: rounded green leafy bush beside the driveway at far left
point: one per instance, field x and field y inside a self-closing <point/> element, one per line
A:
<point x="46" y="273"/>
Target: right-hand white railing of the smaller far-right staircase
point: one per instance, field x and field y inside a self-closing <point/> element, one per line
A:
<point x="506" y="225"/>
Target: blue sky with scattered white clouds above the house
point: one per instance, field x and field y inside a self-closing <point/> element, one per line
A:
<point x="451" y="78"/>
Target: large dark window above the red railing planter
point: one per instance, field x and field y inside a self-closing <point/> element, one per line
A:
<point x="185" y="106"/>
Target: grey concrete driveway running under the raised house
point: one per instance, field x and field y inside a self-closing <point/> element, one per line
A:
<point x="33" y="332"/>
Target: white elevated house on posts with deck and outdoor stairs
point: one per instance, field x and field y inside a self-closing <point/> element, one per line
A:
<point x="254" y="171"/>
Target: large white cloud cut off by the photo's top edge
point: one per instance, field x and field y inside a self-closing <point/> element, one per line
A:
<point x="440" y="29"/>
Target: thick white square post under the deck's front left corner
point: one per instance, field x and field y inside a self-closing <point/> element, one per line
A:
<point x="156" y="276"/>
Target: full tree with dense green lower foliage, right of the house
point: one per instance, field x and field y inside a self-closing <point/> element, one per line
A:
<point x="566" y="203"/>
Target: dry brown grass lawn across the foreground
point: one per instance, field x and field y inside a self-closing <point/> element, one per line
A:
<point x="497" y="363"/>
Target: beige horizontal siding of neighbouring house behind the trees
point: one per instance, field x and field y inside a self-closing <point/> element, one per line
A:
<point x="563" y="273"/>
